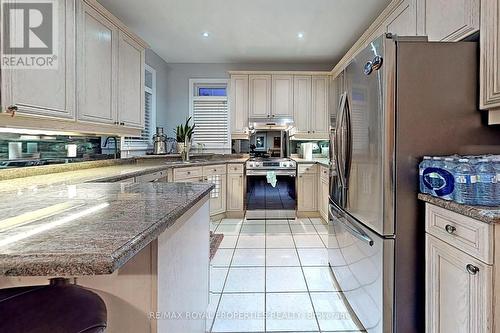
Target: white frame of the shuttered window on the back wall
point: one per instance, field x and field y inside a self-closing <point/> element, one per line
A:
<point x="194" y="84"/>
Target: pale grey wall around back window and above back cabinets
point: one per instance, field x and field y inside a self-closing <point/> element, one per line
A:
<point x="177" y="86"/>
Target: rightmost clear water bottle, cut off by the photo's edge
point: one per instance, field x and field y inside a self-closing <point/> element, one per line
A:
<point x="486" y="183"/>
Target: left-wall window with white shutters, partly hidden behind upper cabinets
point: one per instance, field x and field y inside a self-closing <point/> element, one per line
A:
<point x="145" y="140"/>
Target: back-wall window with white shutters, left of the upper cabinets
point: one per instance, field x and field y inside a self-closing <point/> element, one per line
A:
<point x="209" y="109"/>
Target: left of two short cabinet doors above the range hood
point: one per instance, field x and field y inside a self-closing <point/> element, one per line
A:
<point x="260" y="96"/>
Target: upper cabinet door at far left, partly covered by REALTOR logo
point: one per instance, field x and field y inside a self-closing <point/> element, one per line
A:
<point x="47" y="92"/>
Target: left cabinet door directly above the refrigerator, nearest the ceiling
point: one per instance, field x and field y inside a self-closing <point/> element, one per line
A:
<point x="403" y="20"/>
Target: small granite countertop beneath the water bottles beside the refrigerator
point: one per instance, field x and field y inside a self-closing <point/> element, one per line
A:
<point x="481" y="213"/>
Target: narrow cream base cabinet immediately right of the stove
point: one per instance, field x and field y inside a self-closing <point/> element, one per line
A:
<point x="307" y="188"/>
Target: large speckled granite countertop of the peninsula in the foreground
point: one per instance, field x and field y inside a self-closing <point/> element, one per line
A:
<point x="86" y="229"/>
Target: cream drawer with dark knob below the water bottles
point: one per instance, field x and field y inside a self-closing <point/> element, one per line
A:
<point x="471" y="236"/>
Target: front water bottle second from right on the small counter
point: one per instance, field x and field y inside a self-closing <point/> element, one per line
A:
<point x="465" y="183"/>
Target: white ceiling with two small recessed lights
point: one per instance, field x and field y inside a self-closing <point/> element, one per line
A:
<point x="248" y="31"/>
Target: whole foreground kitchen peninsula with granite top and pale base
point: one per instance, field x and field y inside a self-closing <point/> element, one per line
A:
<point x="137" y="245"/>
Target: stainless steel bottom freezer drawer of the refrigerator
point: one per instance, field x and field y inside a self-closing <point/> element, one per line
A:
<point x="363" y="264"/>
